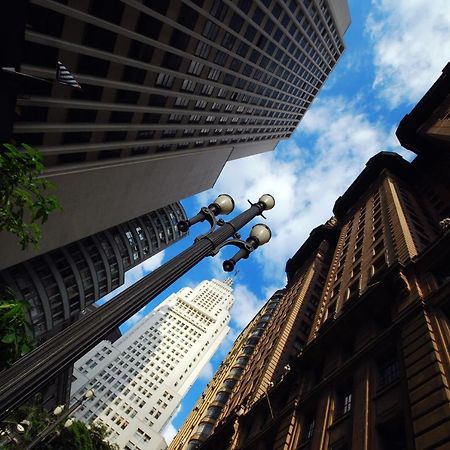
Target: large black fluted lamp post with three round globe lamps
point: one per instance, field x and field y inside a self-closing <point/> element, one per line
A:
<point x="33" y="371"/>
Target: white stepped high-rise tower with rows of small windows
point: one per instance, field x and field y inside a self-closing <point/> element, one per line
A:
<point x="140" y="380"/>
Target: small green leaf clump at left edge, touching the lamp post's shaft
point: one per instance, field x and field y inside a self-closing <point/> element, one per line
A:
<point x="15" y="340"/>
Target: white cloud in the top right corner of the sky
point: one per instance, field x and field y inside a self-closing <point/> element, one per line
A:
<point x="411" y="44"/>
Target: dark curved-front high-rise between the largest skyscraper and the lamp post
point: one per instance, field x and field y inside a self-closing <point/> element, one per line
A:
<point x="59" y="284"/>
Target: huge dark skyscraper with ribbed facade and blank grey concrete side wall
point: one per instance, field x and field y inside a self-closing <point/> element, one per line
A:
<point x="172" y="90"/>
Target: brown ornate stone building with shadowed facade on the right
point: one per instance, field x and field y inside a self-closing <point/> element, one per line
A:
<point x="357" y="354"/>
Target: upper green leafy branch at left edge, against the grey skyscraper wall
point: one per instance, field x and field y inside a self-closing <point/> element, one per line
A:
<point x="23" y="199"/>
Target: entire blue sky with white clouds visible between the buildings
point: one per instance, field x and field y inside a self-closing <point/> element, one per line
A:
<point x="395" y="50"/>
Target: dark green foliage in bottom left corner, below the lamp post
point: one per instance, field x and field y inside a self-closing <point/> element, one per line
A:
<point x="77" y="437"/>
